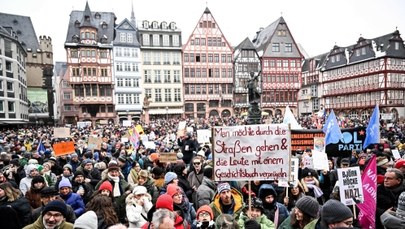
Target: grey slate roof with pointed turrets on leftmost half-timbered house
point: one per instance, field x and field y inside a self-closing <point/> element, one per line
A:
<point x="107" y="18"/>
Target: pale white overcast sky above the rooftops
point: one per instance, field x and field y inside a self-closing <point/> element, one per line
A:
<point x="316" y="24"/>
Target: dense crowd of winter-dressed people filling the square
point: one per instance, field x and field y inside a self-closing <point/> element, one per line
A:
<point x="124" y="185"/>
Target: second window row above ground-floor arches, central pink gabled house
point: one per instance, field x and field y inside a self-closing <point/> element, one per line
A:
<point x="211" y="72"/>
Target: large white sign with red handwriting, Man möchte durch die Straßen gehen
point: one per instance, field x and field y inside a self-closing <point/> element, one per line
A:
<point x="258" y="152"/>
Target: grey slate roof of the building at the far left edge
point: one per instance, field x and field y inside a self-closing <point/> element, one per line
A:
<point x="22" y="25"/>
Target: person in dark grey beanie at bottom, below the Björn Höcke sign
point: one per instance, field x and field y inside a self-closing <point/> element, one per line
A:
<point x="334" y="214"/>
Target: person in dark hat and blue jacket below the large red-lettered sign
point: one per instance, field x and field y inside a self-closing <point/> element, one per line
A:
<point x="268" y="195"/>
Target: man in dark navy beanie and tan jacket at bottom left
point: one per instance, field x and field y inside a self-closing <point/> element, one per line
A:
<point x="53" y="216"/>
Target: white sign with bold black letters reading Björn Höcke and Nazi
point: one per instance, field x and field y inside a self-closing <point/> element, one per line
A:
<point x="350" y="185"/>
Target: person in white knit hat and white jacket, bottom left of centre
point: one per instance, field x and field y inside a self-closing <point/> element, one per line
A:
<point x="138" y="203"/>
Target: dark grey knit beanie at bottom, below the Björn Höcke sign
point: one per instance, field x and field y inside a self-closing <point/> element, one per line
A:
<point x="334" y="211"/>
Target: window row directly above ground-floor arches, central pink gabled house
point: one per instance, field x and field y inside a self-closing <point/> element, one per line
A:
<point x="203" y="89"/>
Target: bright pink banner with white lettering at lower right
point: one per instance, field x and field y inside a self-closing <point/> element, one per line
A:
<point x="368" y="208"/>
